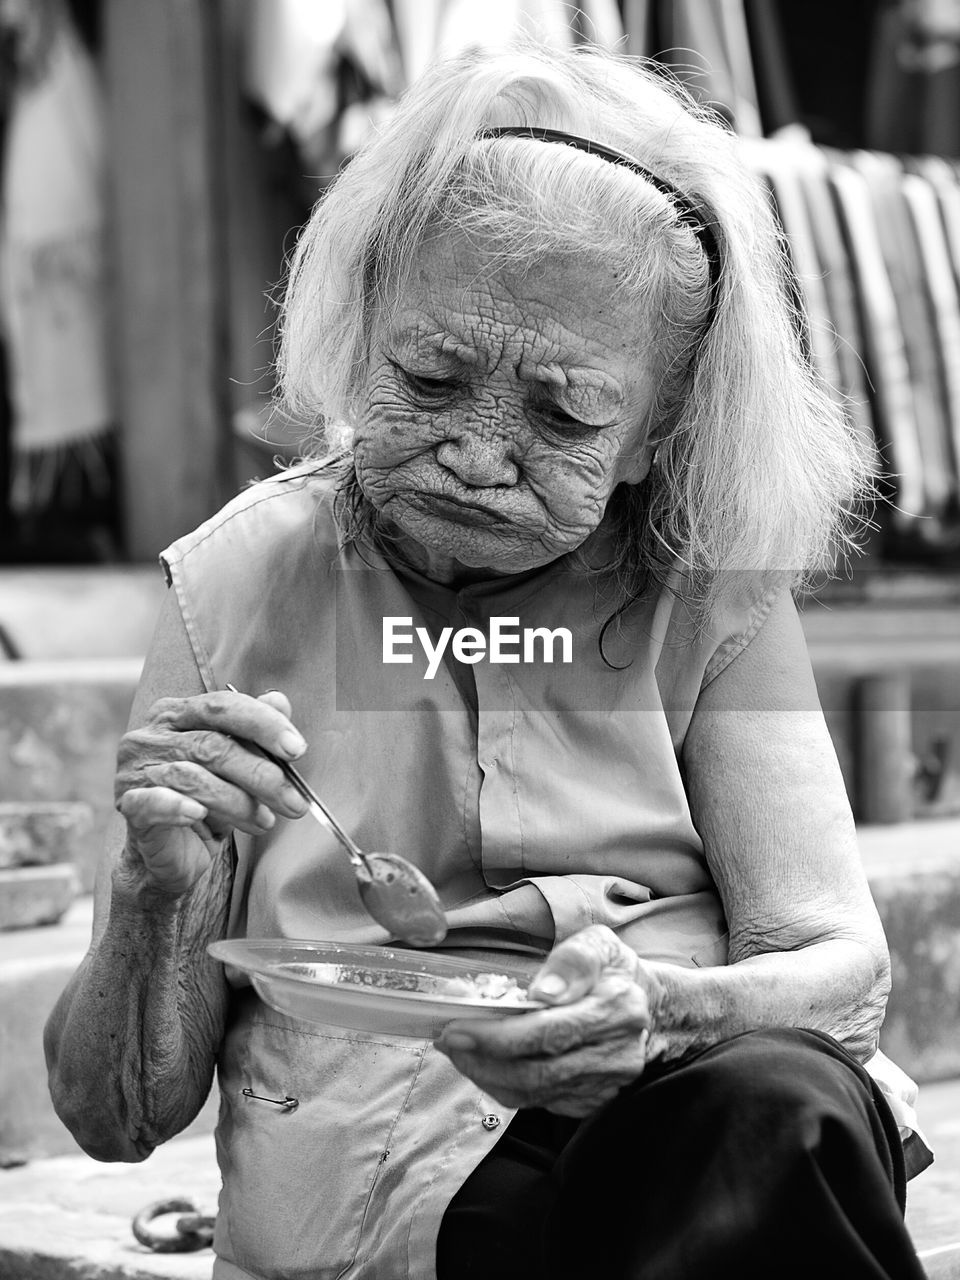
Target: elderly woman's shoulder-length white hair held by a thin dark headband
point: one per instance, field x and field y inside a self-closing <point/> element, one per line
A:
<point x="757" y="467"/>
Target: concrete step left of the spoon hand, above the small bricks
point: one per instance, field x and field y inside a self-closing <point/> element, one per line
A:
<point x="60" y="728"/>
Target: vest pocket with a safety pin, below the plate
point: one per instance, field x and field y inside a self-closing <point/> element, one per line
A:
<point x="298" y="1180"/>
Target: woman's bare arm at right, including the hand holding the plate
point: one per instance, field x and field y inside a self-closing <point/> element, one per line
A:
<point x="806" y="944"/>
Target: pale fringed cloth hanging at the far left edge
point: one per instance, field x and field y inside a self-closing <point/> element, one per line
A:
<point x="53" y="290"/>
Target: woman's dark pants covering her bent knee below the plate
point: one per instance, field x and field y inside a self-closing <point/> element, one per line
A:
<point x="771" y="1156"/>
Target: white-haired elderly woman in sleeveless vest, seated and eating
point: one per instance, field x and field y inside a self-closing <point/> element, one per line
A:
<point x="545" y="312"/>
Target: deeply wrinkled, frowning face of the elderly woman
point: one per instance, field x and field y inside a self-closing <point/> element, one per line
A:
<point x="502" y="409"/>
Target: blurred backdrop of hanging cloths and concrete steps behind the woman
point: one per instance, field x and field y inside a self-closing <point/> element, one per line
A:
<point x="157" y="162"/>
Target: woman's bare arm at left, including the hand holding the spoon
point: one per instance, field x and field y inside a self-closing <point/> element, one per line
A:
<point x="131" y="1044"/>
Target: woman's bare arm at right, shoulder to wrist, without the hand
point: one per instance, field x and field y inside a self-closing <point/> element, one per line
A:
<point x="806" y="943"/>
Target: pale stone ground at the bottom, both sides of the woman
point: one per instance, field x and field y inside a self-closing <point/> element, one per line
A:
<point x="68" y="1218"/>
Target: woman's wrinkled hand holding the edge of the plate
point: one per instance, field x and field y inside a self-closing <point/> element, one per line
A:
<point x="577" y="1055"/>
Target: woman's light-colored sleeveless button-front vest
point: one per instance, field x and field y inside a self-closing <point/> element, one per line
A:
<point x="540" y="798"/>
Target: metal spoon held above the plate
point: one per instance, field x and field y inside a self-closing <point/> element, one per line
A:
<point x="395" y="893"/>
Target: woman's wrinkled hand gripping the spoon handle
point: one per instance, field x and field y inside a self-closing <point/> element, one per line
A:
<point x="189" y="776"/>
